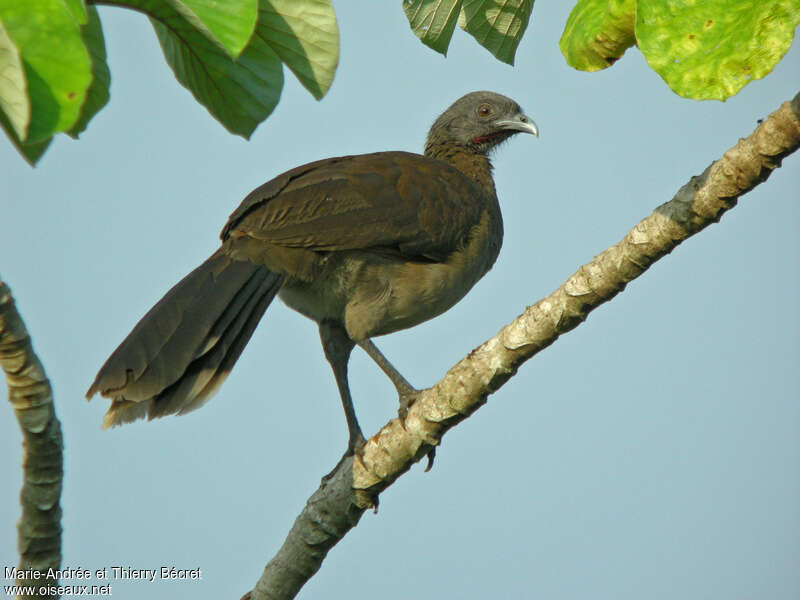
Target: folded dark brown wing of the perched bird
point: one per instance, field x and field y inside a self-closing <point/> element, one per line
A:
<point x="404" y="202"/>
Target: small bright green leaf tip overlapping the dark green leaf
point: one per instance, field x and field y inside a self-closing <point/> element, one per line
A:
<point x="230" y="23"/>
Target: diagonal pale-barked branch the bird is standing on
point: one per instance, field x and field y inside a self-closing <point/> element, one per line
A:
<point x="340" y="500"/>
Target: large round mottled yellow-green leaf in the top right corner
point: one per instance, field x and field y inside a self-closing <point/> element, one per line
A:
<point x="712" y="49"/>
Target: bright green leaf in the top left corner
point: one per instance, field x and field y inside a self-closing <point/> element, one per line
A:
<point x="57" y="64"/>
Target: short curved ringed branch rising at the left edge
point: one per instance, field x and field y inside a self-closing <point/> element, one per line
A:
<point x="39" y="537"/>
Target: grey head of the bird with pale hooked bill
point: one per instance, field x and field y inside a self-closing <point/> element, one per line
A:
<point x="479" y="121"/>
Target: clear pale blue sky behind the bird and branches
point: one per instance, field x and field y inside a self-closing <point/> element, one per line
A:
<point x="652" y="452"/>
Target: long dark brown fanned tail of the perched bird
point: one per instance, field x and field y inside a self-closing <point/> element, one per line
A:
<point x="182" y="350"/>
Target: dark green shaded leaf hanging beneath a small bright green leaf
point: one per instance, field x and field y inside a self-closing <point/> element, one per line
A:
<point x="239" y="94"/>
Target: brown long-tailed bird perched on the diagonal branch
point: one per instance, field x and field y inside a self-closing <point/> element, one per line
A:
<point x="364" y="245"/>
